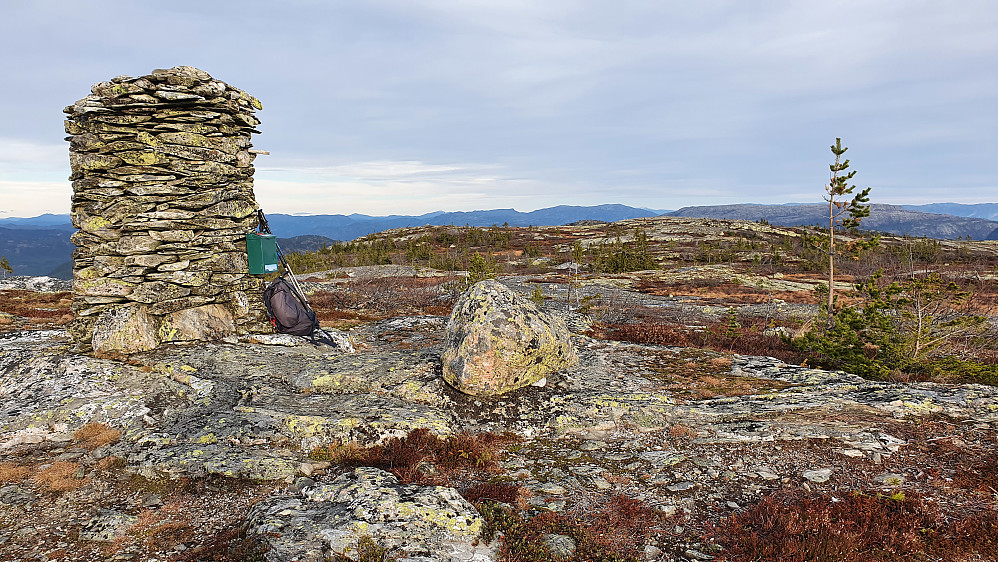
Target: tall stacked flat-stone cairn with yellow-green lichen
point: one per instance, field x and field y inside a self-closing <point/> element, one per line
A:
<point x="163" y="197"/>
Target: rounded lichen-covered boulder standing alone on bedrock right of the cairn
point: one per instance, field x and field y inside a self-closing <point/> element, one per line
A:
<point x="498" y="341"/>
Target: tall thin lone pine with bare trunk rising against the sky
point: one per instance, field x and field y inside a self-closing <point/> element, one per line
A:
<point x="856" y="209"/>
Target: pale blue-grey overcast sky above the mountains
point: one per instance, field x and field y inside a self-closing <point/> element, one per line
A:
<point x="383" y="107"/>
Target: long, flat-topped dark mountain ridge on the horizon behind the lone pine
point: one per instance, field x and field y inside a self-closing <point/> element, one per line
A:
<point x="893" y="219"/>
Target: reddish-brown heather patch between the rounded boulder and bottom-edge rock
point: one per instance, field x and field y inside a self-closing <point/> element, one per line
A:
<point x="468" y="462"/>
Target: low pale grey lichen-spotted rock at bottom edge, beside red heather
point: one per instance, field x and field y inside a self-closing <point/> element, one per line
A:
<point x="428" y="522"/>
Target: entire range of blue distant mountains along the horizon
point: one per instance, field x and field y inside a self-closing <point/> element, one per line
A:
<point x="40" y="245"/>
